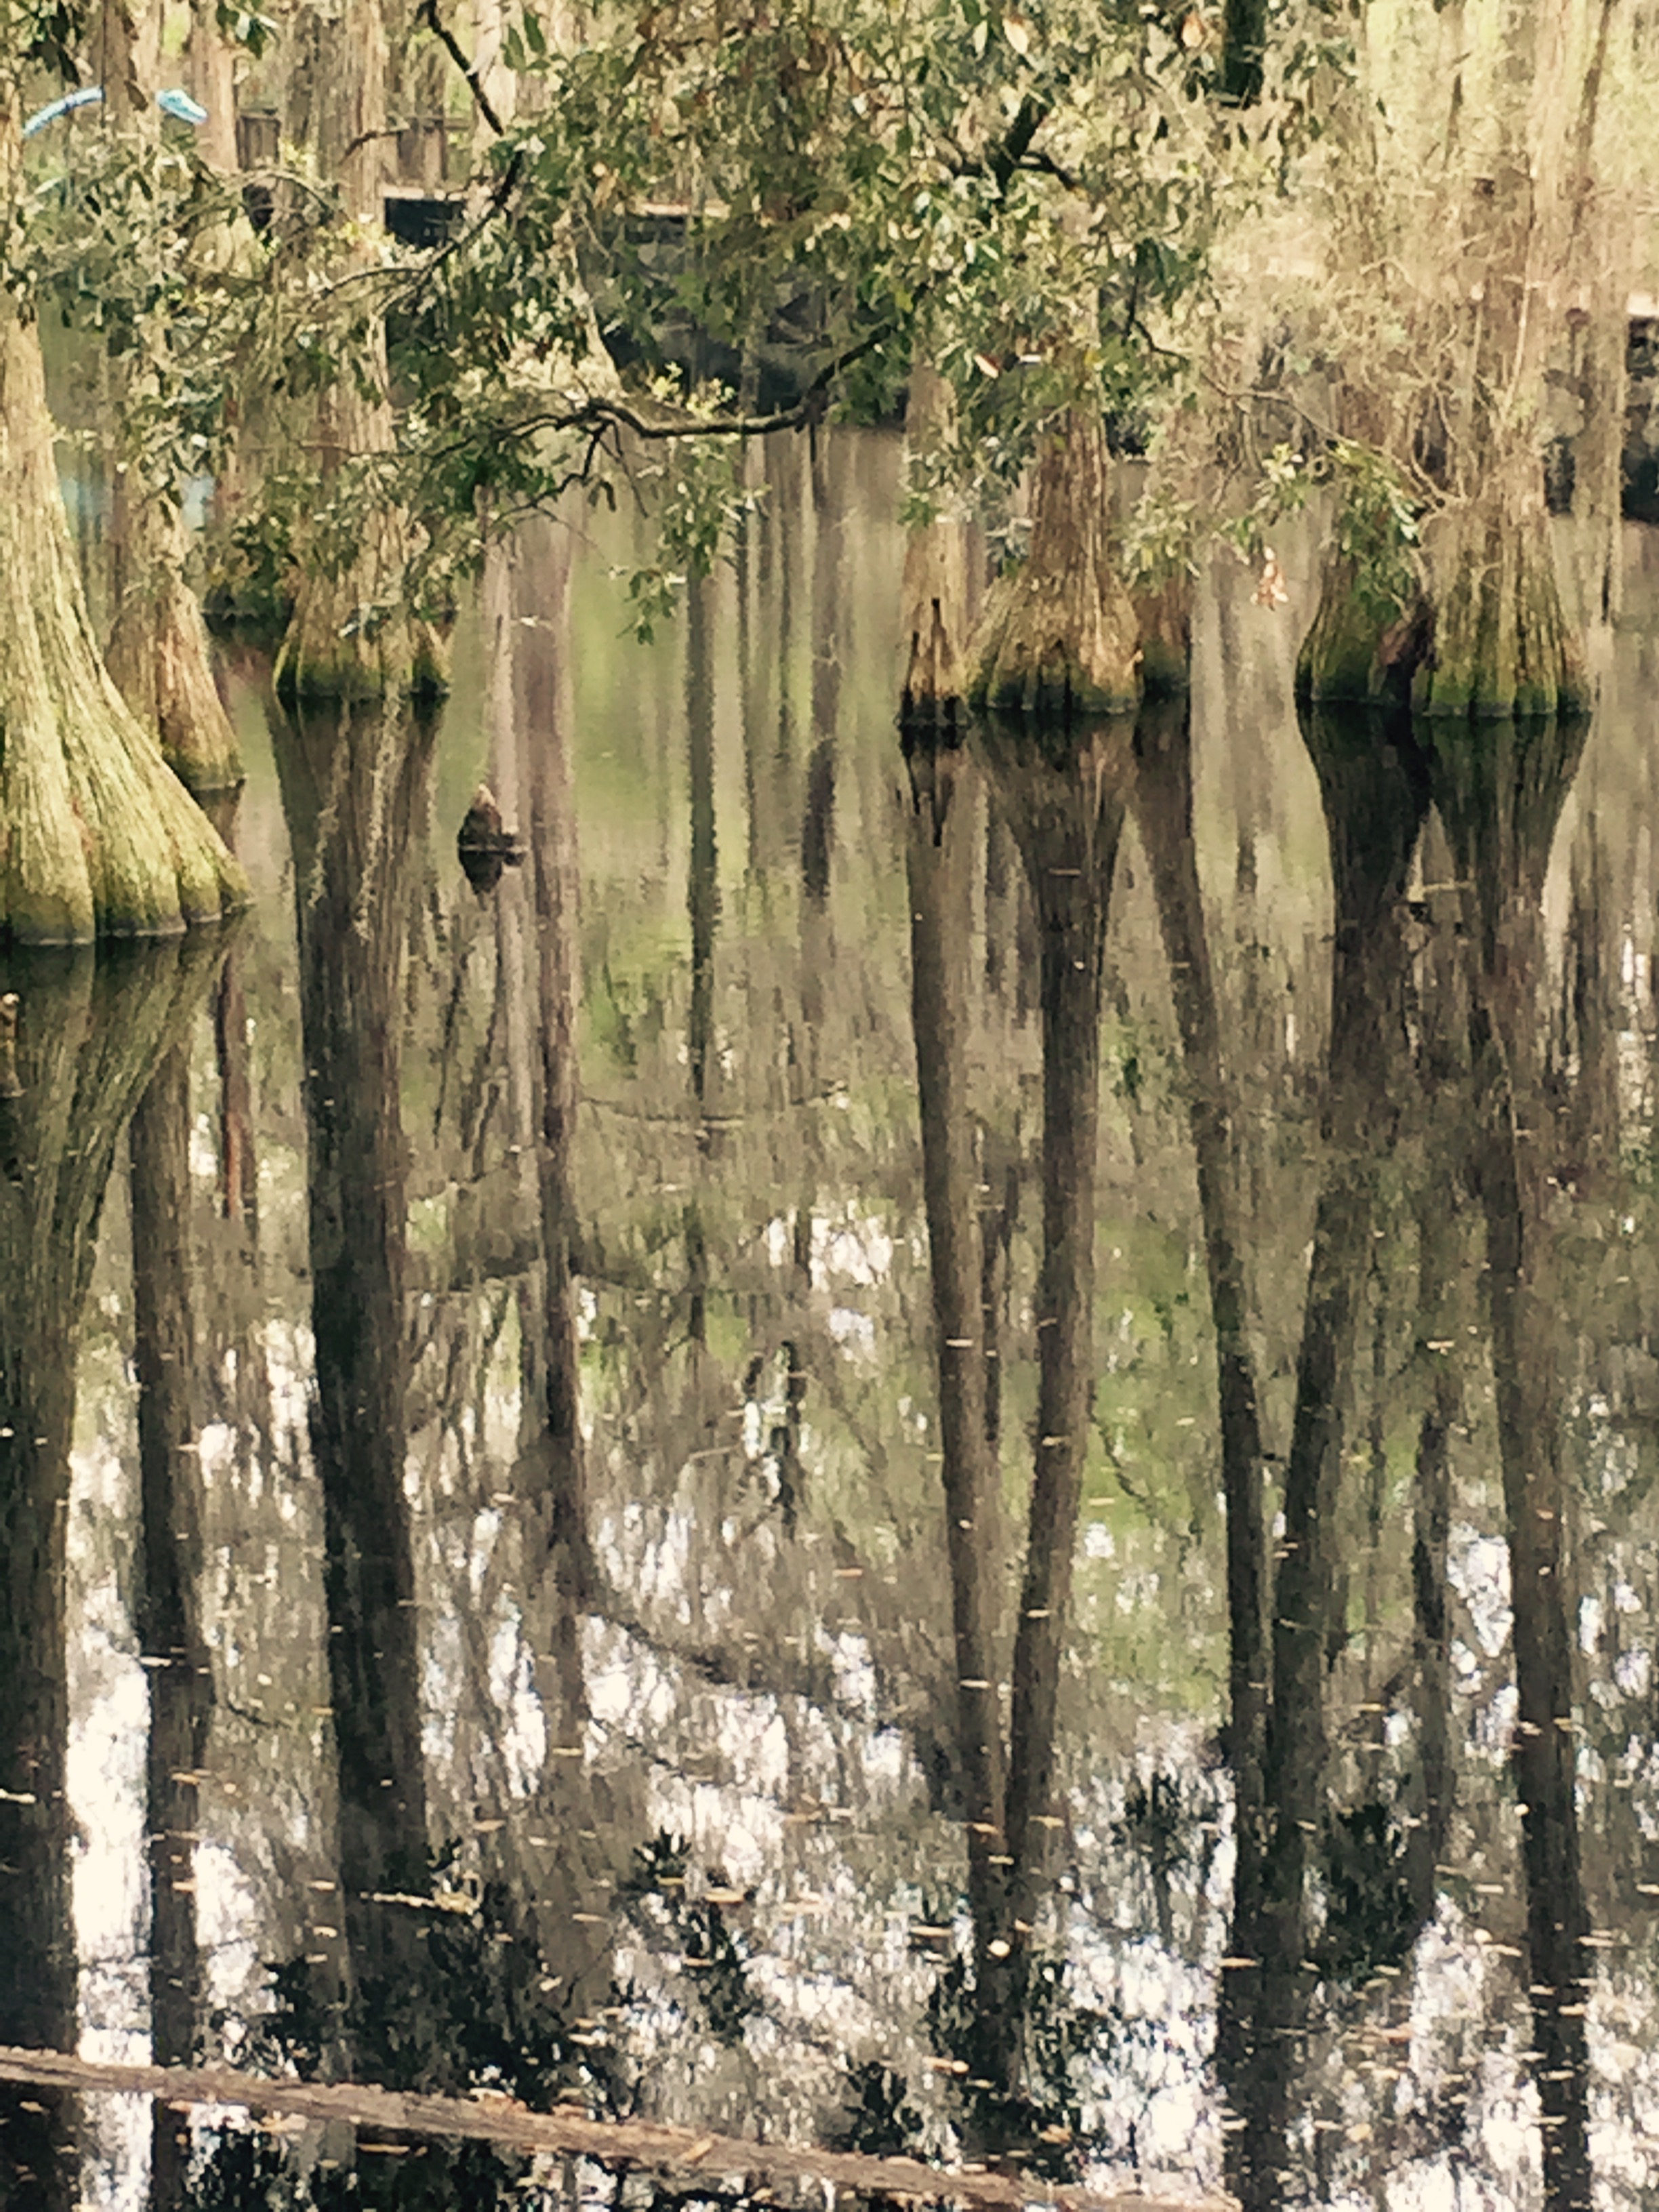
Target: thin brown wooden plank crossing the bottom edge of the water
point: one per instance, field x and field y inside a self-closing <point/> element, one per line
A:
<point x="616" y="2142"/>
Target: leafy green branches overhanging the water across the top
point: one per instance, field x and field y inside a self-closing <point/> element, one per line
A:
<point x="1025" y="198"/>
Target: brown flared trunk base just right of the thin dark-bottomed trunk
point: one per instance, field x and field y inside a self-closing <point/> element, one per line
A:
<point x="1058" y="638"/>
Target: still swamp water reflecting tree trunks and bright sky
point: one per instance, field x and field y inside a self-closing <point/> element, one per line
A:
<point x="585" y="1519"/>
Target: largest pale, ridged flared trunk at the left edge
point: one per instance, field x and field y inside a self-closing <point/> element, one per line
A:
<point x="98" y="837"/>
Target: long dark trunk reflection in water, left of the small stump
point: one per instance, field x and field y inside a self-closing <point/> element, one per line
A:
<point x="355" y="797"/>
